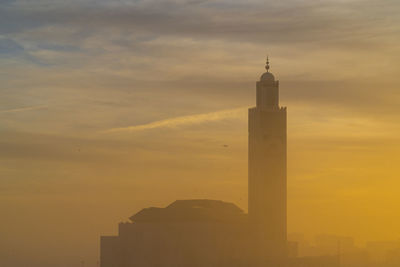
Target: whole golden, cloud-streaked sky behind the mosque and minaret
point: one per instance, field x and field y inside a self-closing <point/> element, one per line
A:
<point x="107" y="107"/>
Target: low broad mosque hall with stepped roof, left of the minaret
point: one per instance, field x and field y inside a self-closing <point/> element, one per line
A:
<point x="185" y="233"/>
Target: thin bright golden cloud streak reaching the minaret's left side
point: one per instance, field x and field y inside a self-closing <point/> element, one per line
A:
<point x="183" y="120"/>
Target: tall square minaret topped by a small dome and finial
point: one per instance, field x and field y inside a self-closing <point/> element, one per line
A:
<point x="267" y="166"/>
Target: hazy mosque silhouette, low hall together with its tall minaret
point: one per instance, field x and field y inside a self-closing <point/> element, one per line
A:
<point x="208" y="233"/>
